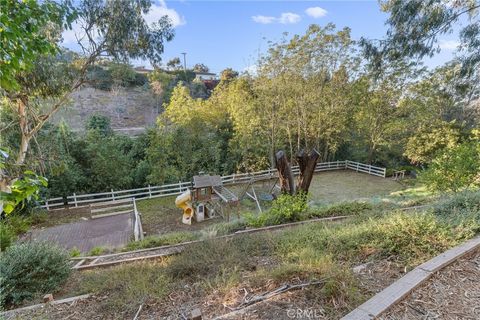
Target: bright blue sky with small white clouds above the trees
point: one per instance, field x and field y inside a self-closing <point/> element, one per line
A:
<point x="232" y="34"/>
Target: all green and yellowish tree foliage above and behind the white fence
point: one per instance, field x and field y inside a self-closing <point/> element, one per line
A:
<point x="313" y="90"/>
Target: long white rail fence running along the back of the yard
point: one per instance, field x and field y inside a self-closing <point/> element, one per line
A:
<point x="177" y="188"/>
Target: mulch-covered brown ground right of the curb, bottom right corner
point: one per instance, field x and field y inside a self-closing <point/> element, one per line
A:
<point x="452" y="293"/>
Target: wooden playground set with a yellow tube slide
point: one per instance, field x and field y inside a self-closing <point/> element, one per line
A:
<point x="207" y="199"/>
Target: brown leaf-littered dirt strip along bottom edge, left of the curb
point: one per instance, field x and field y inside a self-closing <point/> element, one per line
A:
<point x="306" y="303"/>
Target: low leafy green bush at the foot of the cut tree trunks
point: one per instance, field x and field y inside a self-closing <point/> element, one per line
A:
<point x="285" y="209"/>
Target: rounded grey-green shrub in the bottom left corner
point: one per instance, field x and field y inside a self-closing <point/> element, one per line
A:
<point x="31" y="269"/>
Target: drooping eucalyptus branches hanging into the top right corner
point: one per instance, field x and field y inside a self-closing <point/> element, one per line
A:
<point x="415" y="27"/>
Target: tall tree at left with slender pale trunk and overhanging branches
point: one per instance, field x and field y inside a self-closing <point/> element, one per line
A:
<point x="115" y="29"/>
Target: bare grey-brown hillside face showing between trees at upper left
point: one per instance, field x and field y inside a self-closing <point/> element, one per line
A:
<point x="130" y="110"/>
